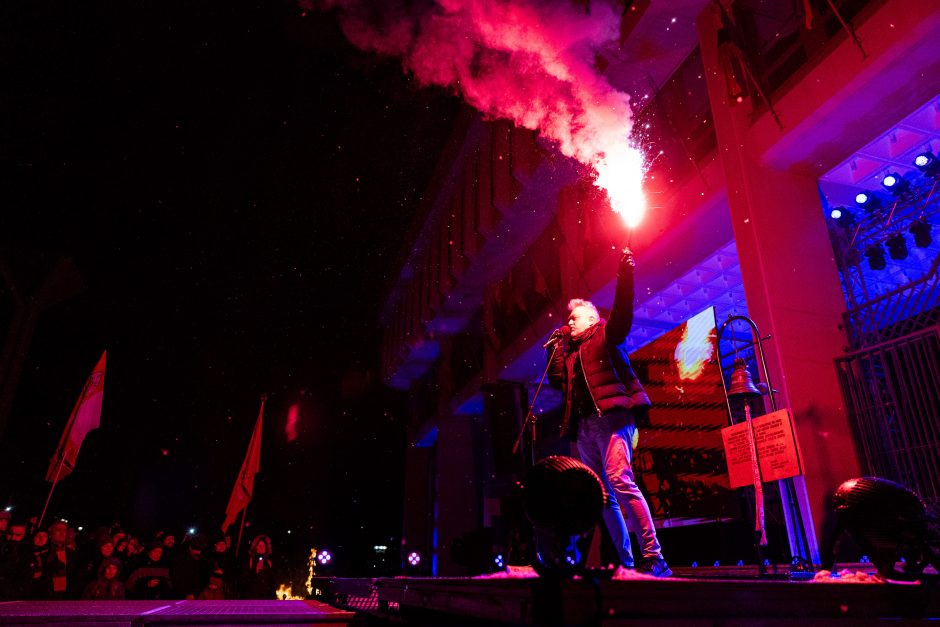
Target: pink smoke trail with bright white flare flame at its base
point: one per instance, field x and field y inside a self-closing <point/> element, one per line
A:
<point x="529" y="61"/>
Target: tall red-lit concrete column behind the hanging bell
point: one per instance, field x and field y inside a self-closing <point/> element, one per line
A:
<point x="792" y="289"/>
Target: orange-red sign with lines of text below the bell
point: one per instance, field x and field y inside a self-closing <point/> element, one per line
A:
<point x="776" y="449"/>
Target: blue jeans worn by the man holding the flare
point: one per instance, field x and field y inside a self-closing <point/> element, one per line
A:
<point x="608" y="451"/>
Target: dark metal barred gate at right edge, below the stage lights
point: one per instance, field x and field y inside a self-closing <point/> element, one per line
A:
<point x="892" y="394"/>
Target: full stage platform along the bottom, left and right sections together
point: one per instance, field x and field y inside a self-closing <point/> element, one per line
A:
<point x="714" y="597"/>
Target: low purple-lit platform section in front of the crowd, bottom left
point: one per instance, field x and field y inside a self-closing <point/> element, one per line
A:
<point x="172" y="613"/>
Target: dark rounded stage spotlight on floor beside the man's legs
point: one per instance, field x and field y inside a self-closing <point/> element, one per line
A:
<point x="563" y="499"/>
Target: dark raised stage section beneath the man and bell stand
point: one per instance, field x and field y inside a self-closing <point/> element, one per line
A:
<point x="715" y="600"/>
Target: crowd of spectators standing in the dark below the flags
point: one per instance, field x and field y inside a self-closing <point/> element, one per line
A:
<point x="108" y="563"/>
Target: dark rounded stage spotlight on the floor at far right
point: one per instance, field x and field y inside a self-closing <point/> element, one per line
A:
<point x="888" y="522"/>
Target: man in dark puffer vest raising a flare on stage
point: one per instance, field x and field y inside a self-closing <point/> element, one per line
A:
<point x="602" y="400"/>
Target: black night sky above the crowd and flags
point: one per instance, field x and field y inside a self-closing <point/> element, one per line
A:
<point x="234" y="184"/>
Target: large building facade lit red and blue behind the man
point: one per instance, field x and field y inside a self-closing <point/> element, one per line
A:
<point x="763" y="118"/>
